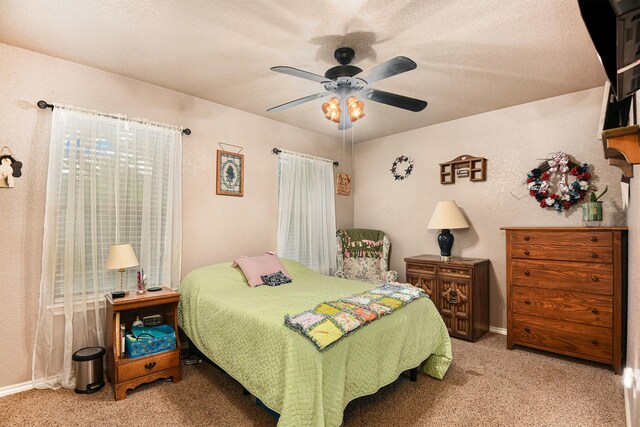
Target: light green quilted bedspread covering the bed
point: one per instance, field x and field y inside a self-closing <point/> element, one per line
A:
<point x="242" y="330"/>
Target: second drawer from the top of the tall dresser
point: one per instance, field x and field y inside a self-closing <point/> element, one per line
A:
<point x="562" y="253"/>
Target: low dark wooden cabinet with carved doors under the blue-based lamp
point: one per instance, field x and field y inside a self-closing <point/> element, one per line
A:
<point x="459" y="288"/>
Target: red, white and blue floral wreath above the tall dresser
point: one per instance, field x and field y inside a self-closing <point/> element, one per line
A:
<point x="558" y="165"/>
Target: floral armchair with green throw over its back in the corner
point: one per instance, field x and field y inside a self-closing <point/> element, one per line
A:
<point x="363" y="254"/>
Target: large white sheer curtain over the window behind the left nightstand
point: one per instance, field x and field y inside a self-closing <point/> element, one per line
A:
<point x="110" y="180"/>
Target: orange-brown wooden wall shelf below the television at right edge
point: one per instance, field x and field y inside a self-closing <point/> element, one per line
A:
<point x="622" y="148"/>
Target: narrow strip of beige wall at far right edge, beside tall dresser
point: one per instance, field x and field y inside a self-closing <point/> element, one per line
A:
<point x="633" y="300"/>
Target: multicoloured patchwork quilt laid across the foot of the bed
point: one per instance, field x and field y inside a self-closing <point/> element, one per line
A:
<point x="331" y="321"/>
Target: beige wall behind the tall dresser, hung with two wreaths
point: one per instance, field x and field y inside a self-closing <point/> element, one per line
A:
<point x="512" y="139"/>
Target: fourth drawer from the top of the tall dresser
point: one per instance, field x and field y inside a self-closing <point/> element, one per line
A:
<point x="570" y="306"/>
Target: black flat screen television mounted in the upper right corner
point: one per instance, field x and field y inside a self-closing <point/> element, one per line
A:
<point x="614" y="27"/>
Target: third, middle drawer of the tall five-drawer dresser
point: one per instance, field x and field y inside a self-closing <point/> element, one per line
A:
<point x="563" y="276"/>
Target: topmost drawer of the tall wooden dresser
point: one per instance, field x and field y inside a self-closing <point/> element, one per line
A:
<point x="573" y="239"/>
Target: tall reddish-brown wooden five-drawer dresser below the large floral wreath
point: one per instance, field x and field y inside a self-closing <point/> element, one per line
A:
<point x="566" y="291"/>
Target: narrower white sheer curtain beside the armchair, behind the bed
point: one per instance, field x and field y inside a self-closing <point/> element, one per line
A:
<point x="307" y="211"/>
